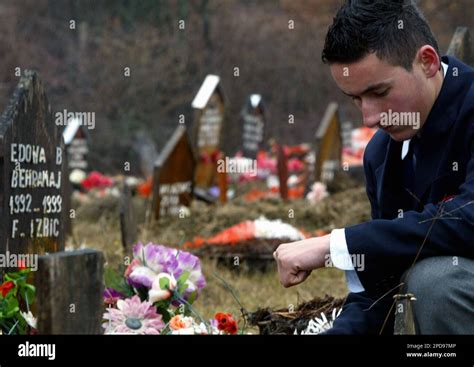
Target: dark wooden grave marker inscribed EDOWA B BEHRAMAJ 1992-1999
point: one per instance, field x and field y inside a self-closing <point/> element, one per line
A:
<point x="32" y="170"/>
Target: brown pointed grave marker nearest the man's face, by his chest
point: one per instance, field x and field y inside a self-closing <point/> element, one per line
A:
<point x="328" y="145"/>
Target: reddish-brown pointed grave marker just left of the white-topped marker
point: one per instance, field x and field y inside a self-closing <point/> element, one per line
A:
<point x="174" y="174"/>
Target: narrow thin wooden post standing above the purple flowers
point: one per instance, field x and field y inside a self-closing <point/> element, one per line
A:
<point x="128" y="221"/>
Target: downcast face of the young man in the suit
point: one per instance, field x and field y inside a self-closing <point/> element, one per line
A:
<point x="389" y="97"/>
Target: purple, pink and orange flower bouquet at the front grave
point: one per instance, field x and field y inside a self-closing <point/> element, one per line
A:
<point x="155" y="295"/>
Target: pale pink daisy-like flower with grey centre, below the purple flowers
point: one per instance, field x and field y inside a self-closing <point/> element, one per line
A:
<point x="132" y="317"/>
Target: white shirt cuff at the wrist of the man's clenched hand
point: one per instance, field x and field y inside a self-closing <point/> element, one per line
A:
<point x="341" y="259"/>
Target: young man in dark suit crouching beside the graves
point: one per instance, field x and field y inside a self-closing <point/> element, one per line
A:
<point x="419" y="171"/>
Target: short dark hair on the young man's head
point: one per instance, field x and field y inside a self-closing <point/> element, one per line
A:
<point x="392" y="29"/>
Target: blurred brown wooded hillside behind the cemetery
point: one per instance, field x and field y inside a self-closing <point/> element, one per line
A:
<point x="83" y="68"/>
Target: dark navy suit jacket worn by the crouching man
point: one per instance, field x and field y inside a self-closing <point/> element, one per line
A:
<point x="442" y="219"/>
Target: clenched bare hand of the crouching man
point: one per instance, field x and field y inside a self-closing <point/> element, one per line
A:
<point x="296" y="260"/>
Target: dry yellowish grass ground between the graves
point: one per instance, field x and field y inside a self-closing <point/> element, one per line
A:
<point x="97" y="226"/>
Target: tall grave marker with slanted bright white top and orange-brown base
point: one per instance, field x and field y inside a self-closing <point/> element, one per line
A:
<point x="207" y="130"/>
